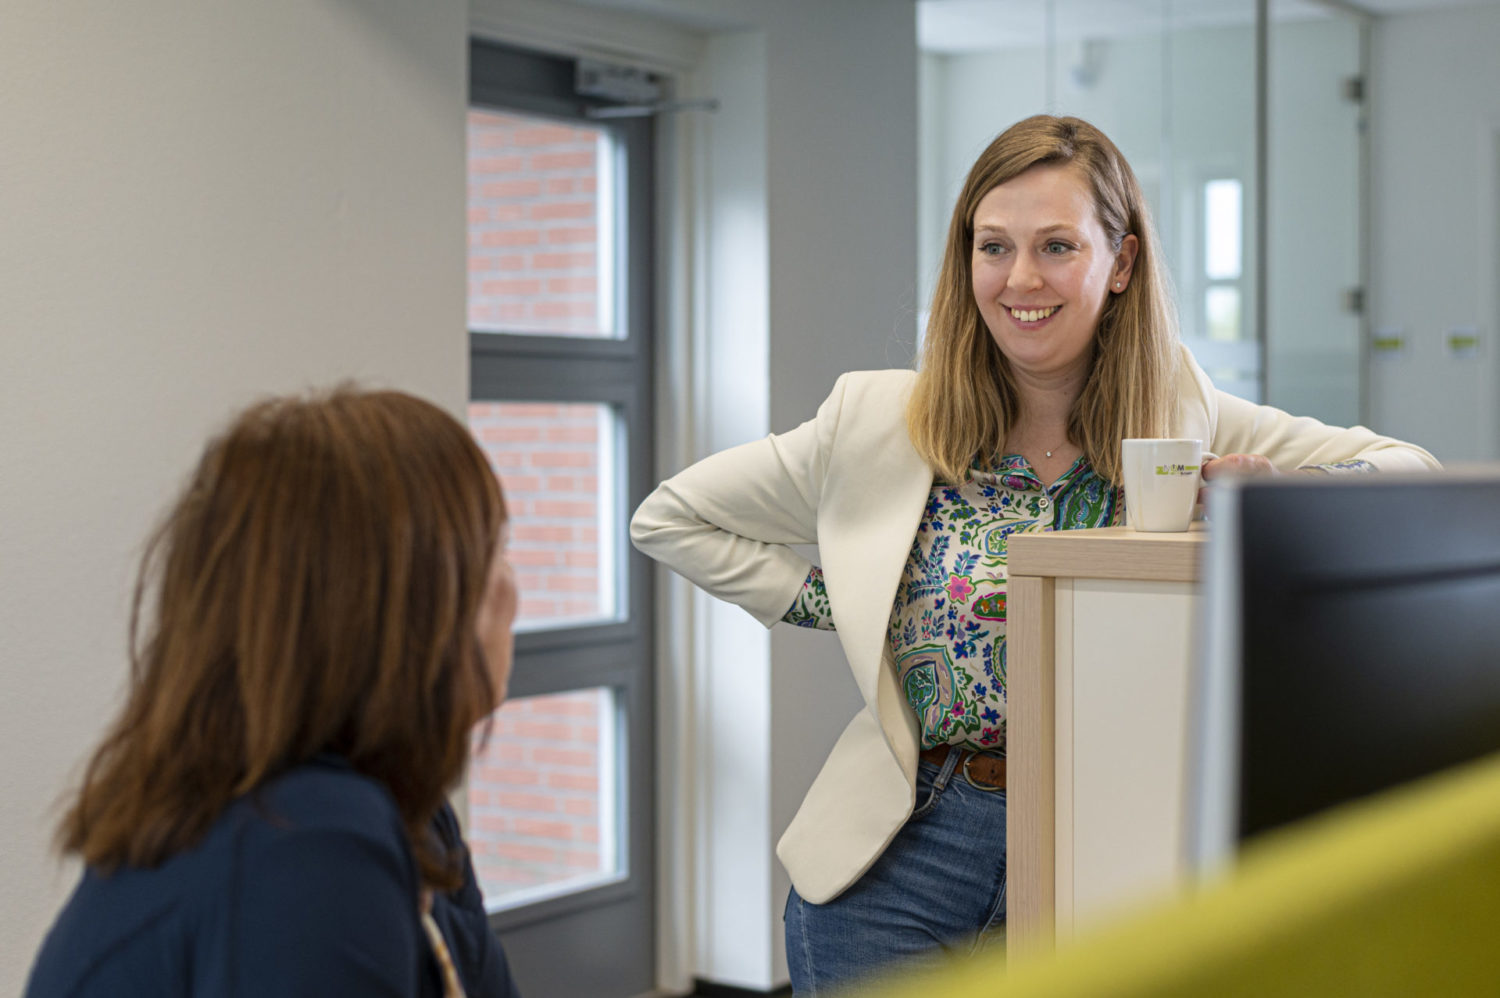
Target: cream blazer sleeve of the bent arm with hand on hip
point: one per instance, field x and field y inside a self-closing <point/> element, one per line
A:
<point x="728" y="523"/>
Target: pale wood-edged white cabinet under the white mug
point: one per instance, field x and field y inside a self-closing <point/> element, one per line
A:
<point x="1099" y="651"/>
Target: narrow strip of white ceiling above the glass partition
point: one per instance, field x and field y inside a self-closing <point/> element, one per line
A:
<point x="965" y="26"/>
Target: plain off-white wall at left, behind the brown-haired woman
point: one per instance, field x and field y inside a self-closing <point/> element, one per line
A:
<point x="203" y="203"/>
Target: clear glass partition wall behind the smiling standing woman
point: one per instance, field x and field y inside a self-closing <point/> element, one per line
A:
<point x="1222" y="107"/>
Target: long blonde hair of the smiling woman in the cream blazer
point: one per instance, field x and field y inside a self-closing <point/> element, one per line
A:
<point x="965" y="400"/>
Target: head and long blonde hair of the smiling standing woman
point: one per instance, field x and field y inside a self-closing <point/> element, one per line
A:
<point x="1051" y="215"/>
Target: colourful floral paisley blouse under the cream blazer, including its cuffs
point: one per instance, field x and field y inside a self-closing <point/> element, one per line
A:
<point x="949" y="624"/>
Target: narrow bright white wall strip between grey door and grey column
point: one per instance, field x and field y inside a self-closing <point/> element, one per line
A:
<point x="736" y="870"/>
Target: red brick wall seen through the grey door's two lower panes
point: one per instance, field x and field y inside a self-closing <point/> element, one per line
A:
<point x="535" y="790"/>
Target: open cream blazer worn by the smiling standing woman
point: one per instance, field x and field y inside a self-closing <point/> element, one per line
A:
<point x="851" y="482"/>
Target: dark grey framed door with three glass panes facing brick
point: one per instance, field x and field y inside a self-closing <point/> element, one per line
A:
<point x="560" y="799"/>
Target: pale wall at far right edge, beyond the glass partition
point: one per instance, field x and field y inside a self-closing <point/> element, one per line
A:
<point x="1435" y="265"/>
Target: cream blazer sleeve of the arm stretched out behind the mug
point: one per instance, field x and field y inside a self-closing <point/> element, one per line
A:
<point x="1295" y="442"/>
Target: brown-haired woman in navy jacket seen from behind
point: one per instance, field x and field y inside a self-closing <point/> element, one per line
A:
<point x="332" y="618"/>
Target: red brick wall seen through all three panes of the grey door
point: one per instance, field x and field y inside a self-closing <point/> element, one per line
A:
<point x="535" y="266"/>
